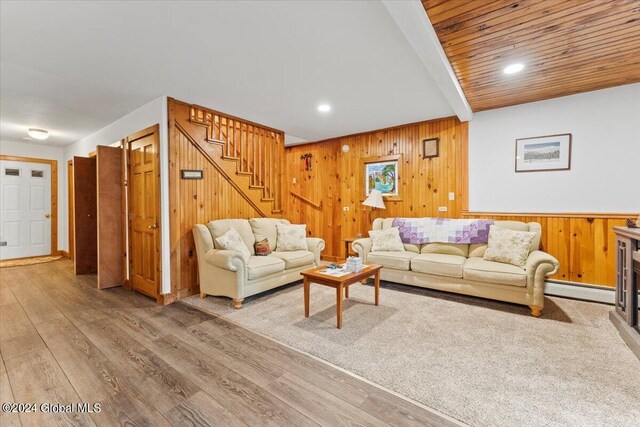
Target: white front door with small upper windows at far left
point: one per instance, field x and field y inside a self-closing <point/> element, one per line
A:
<point x="25" y="209"/>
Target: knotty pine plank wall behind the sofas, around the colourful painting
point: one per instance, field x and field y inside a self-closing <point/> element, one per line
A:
<point x="336" y="179"/>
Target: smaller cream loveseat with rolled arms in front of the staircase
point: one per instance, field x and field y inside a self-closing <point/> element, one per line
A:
<point x="225" y="273"/>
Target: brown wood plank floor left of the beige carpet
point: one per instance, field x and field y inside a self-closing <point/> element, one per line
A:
<point x="63" y="341"/>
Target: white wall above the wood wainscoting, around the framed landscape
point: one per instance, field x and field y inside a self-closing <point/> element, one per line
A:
<point x="605" y="157"/>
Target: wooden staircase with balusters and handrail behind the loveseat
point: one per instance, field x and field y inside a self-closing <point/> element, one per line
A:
<point x="249" y="155"/>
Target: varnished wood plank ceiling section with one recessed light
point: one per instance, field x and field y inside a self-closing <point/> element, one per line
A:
<point x="567" y="46"/>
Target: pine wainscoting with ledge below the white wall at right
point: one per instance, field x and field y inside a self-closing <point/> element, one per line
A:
<point x="584" y="244"/>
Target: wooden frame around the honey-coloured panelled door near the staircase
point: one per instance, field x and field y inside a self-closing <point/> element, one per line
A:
<point x="155" y="131"/>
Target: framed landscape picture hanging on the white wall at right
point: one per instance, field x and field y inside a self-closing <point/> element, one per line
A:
<point x="543" y="153"/>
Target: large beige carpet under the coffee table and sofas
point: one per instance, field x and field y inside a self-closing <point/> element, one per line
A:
<point x="482" y="362"/>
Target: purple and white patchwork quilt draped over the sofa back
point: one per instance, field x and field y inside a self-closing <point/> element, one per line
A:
<point x="442" y="230"/>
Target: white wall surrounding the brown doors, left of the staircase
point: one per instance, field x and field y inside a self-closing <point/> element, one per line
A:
<point x="154" y="112"/>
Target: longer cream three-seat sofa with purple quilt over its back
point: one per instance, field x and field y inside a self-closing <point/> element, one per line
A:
<point x="460" y="268"/>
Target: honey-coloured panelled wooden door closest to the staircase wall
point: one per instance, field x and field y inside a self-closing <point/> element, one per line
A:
<point x="144" y="212"/>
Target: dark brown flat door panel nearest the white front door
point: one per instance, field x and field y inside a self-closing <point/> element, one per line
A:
<point x="85" y="215"/>
